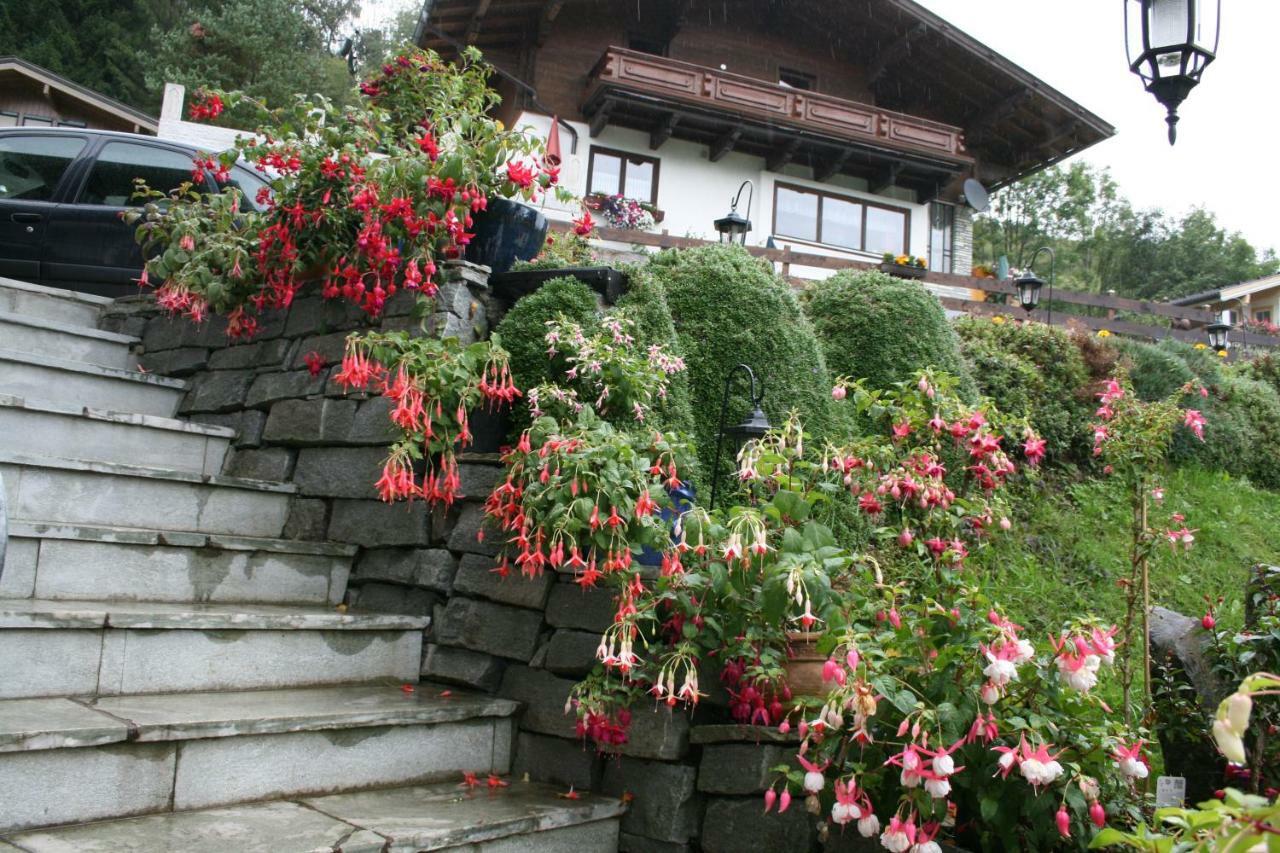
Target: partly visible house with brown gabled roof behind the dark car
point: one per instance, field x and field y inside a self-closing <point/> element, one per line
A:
<point x="35" y="97"/>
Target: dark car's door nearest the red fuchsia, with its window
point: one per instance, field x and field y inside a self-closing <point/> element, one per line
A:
<point x="89" y="247"/>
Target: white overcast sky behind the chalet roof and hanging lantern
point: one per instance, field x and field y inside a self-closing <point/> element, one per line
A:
<point x="1229" y="135"/>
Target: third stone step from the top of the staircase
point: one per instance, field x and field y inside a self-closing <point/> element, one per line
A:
<point x="36" y="377"/>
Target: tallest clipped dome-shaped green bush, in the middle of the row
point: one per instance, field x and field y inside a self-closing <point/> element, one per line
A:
<point x="730" y="308"/>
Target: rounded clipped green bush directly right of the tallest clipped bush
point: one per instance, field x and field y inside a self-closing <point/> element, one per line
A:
<point x="884" y="330"/>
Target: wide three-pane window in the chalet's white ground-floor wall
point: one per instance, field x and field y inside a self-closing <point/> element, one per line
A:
<point x="835" y="221"/>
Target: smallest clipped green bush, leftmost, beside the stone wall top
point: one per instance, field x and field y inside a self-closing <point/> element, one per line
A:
<point x="524" y="330"/>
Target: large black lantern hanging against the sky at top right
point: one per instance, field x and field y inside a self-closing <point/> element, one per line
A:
<point x="1171" y="44"/>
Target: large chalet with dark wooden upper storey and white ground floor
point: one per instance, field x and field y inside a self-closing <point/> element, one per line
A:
<point x="857" y="121"/>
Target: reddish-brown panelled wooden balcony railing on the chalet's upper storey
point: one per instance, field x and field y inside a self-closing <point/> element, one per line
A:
<point x="720" y="92"/>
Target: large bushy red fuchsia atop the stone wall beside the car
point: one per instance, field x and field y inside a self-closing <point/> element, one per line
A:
<point x="367" y="198"/>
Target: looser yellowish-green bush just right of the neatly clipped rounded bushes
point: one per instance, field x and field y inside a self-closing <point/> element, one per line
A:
<point x="1036" y="372"/>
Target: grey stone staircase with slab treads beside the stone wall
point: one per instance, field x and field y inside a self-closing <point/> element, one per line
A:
<point x="177" y="677"/>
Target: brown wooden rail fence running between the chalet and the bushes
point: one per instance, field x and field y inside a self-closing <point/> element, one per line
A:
<point x="1100" y="311"/>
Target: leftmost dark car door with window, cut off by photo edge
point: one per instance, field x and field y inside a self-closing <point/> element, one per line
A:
<point x="31" y="168"/>
